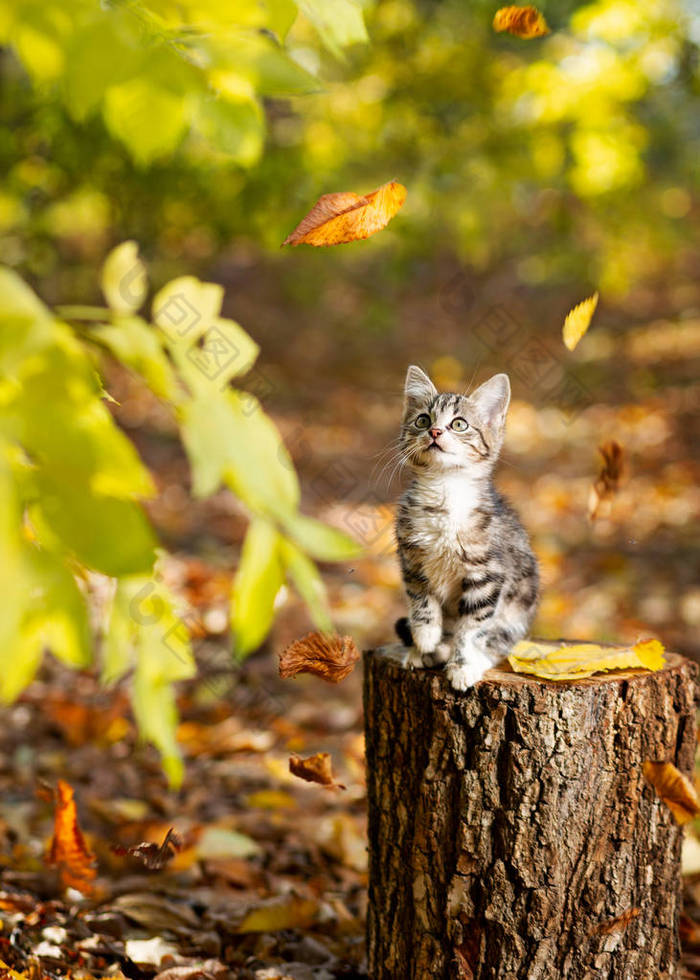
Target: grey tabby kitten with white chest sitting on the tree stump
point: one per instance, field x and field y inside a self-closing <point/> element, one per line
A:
<point x="468" y="569"/>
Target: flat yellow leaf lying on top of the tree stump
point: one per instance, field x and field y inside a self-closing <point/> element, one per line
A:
<point x="573" y="661"/>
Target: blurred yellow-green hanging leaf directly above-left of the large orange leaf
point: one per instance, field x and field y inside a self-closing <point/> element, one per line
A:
<point x="236" y="129"/>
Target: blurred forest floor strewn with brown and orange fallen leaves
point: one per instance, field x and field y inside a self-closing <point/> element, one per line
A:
<point x="270" y="881"/>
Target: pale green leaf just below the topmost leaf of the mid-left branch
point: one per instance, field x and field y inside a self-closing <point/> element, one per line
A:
<point x="138" y="345"/>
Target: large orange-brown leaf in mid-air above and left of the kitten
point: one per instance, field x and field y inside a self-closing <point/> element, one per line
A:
<point x="348" y="217"/>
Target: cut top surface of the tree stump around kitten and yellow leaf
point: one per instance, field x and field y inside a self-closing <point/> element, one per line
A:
<point x="504" y="675"/>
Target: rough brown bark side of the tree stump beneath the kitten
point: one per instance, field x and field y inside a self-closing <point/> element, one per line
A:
<point x="511" y="831"/>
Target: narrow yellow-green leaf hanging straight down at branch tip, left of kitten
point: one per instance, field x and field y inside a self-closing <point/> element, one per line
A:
<point x="258" y="580"/>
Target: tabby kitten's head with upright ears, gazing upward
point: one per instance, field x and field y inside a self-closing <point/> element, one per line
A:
<point x="447" y="431"/>
